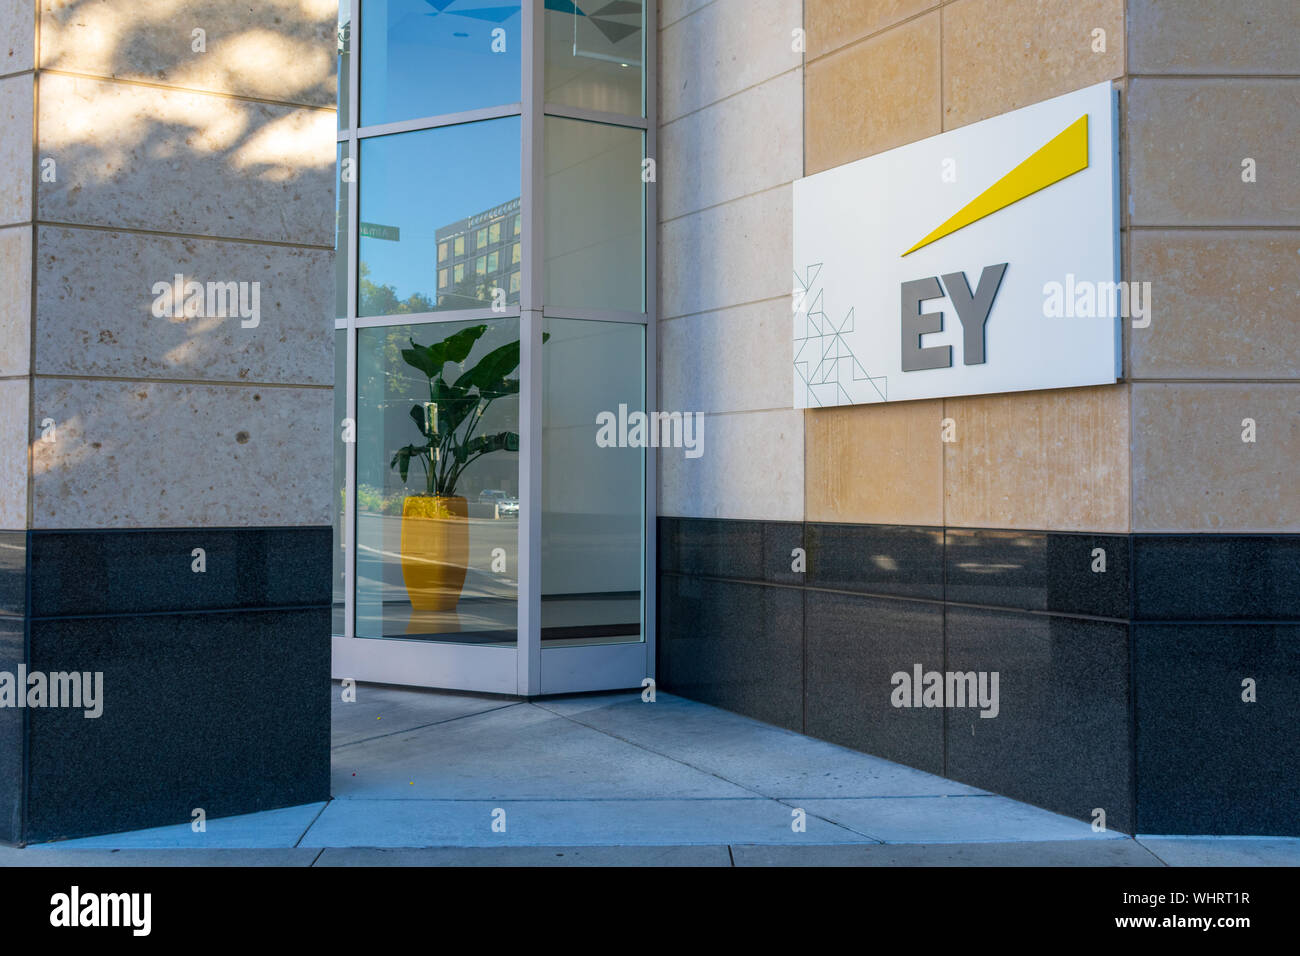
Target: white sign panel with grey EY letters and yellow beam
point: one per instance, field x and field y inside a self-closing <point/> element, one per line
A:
<point x="986" y="259"/>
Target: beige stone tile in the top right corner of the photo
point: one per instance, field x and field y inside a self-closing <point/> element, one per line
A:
<point x="1238" y="37"/>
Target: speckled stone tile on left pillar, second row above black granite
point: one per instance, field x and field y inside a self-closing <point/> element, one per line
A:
<point x="96" y="310"/>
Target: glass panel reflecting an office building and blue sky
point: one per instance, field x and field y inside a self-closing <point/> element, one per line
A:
<point x="421" y="191"/>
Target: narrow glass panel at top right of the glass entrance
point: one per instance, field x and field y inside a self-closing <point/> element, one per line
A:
<point x="595" y="55"/>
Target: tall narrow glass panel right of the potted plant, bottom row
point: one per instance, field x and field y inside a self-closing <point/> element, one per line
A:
<point x="593" y="492"/>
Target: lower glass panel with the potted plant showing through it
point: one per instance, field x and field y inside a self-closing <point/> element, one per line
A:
<point x="437" y="551"/>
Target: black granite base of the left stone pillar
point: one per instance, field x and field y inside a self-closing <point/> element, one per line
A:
<point x="215" y="685"/>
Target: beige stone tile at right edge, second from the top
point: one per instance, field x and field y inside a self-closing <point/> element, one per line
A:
<point x="1188" y="141"/>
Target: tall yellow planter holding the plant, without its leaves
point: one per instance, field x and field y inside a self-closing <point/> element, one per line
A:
<point x="435" y="551"/>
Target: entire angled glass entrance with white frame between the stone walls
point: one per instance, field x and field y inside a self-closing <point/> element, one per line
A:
<point x="493" y="321"/>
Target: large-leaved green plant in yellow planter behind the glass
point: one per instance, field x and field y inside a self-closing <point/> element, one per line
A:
<point x="436" y="520"/>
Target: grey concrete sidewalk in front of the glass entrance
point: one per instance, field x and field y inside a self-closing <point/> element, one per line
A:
<point x="428" y="778"/>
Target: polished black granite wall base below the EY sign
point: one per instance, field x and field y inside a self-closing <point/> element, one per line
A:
<point x="1093" y="713"/>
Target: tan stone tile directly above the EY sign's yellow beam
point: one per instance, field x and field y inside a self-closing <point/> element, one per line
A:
<point x="1002" y="55"/>
